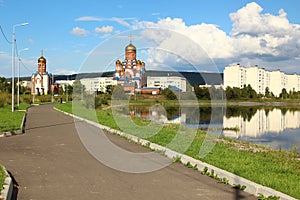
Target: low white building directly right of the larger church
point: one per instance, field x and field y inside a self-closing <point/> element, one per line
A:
<point x="164" y="82"/>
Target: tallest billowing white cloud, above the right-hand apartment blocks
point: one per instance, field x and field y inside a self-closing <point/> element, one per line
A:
<point x="265" y="35"/>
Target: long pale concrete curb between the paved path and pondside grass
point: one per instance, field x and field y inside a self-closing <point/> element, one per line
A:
<point x="251" y="187"/>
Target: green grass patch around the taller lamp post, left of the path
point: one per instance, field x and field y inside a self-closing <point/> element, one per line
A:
<point x="11" y="121"/>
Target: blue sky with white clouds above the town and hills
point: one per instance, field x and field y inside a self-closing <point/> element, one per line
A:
<point x="89" y="36"/>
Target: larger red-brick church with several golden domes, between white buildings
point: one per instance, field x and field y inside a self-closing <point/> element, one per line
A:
<point x="130" y="73"/>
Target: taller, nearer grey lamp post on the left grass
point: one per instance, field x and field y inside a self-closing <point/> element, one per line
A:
<point x="13" y="65"/>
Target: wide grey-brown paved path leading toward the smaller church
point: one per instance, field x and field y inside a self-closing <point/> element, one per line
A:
<point x="50" y="162"/>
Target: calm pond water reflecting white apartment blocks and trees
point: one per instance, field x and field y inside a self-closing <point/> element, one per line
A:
<point x="278" y="128"/>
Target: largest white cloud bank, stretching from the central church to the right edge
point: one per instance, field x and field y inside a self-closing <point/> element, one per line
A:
<point x="263" y="37"/>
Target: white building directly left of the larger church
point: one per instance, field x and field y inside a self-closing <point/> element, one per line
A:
<point x="99" y="84"/>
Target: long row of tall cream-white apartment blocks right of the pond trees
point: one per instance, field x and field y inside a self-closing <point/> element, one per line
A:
<point x="260" y="79"/>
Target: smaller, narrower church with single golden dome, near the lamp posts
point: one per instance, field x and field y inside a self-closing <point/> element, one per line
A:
<point x="40" y="80"/>
